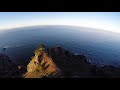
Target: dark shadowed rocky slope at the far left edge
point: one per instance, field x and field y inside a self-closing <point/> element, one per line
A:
<point x="8" y="69"/>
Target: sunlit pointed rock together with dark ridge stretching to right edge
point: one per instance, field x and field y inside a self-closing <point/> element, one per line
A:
<point x="58" y="62"/>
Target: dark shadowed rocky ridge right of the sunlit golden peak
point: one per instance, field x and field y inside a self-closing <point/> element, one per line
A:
<point x="79" y="66"/>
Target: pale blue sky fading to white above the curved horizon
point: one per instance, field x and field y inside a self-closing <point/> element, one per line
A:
<point x="101" y="20"/>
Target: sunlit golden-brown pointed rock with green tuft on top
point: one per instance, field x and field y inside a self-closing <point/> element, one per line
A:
<point x="41" y="65"/>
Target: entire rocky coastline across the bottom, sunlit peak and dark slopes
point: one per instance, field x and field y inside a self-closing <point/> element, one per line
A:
<point x="55" y="62"/>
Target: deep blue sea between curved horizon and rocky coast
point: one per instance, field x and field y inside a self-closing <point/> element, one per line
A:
<point x="99" y="46"/>
